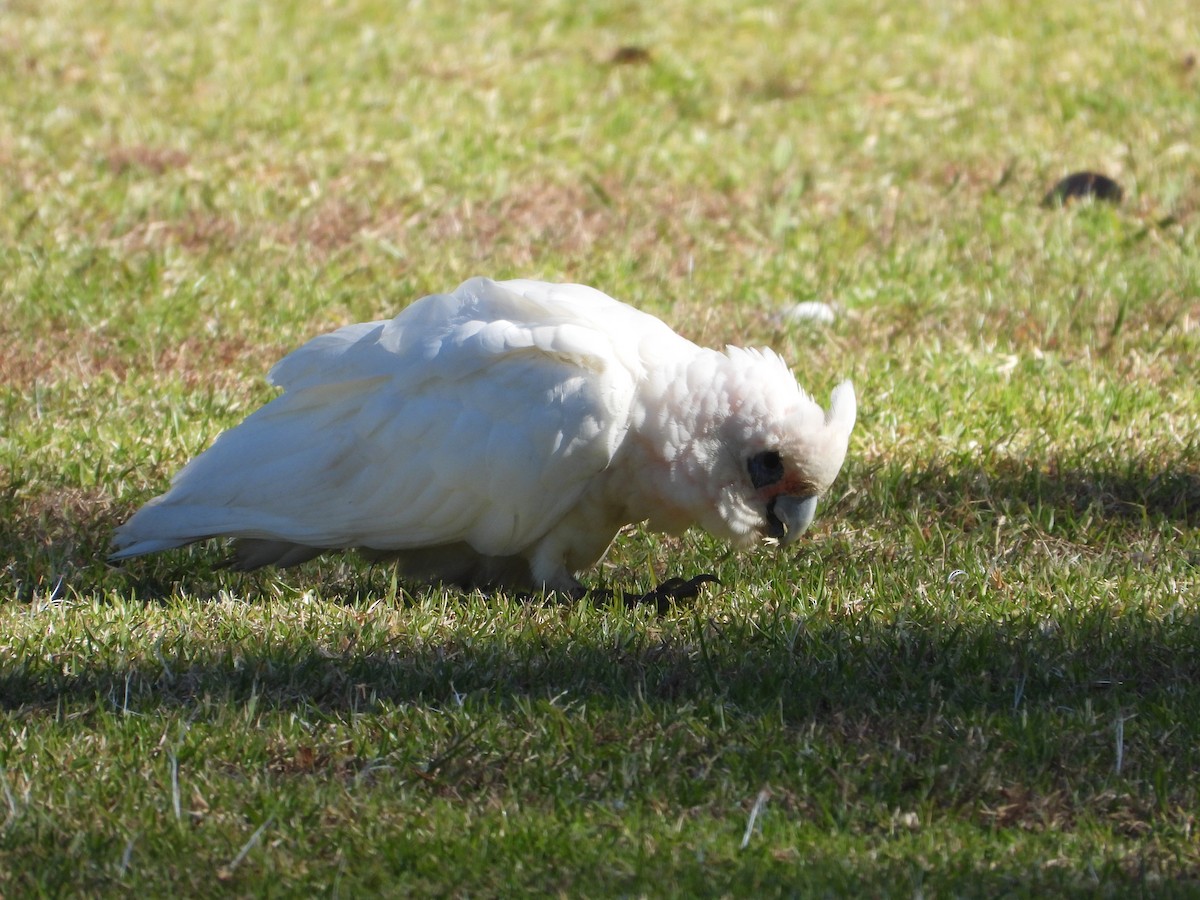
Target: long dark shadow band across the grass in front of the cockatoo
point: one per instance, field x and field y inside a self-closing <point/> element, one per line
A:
<point x="777" y="664"/>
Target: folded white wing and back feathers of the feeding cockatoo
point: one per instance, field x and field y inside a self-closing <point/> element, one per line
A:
<point x="478" y="417"/>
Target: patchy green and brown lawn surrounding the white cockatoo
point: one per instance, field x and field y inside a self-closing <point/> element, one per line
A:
<point x="979" y="677"/>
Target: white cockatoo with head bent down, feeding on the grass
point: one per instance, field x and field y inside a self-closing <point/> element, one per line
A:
<point x="501" y="436"/>
